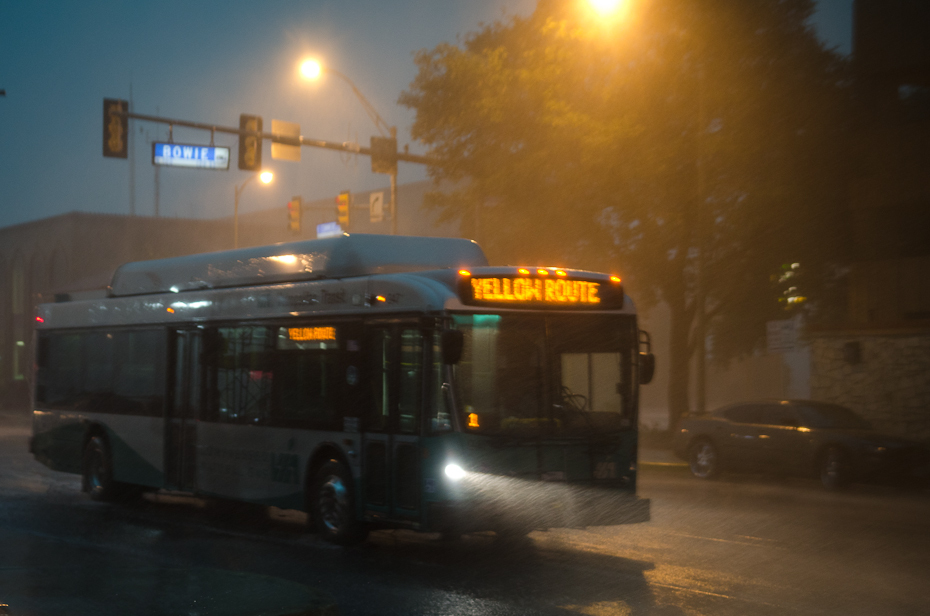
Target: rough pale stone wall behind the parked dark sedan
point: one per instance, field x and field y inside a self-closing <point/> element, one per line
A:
<point x="883" y="376"/>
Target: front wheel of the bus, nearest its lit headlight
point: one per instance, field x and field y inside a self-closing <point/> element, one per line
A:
<point x="333" y="505"/>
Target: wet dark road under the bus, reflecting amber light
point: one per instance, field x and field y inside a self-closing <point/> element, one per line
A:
<point x="736" y="546"/>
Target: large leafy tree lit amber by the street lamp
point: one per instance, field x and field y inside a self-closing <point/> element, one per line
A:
<point x="694" y="146"/>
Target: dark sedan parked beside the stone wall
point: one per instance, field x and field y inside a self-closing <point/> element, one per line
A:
<point x="798" y="437"/>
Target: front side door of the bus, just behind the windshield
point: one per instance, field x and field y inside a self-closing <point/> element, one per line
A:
<point x="391" y="451"/>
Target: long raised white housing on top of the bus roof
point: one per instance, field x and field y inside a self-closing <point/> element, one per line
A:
<point x="337" y="257"/>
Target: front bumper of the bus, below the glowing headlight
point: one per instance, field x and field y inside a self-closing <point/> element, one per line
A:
<point x="540" y="506"/>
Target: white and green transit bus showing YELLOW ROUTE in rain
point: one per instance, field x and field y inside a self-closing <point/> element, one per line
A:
<point x="371" y="381"/>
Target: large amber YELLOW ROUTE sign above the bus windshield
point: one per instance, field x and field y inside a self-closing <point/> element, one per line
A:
<point x="541" y="292"/>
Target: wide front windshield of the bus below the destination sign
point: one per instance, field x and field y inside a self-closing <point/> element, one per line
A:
<point x="546" y="375"/>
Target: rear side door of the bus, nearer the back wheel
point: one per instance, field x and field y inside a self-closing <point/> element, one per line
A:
<point x="184" y="402"/>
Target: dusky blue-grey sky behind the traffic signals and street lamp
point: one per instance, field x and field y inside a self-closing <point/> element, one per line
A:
<point x="209" y="61"/>
